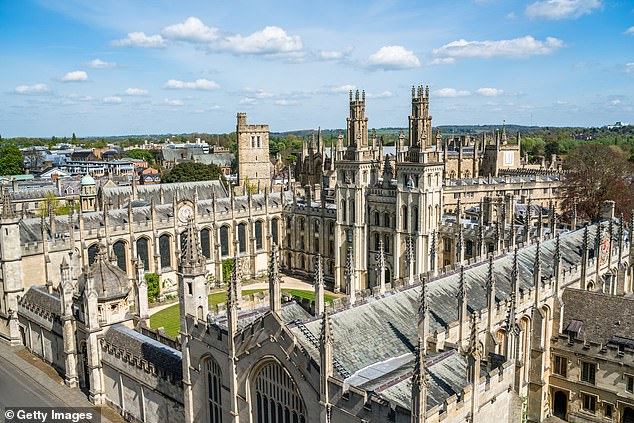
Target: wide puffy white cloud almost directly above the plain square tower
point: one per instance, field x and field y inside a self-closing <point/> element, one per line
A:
<point x="271" y="40"/>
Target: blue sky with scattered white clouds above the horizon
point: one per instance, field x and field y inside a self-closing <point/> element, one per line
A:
<point x="120" y="67"/>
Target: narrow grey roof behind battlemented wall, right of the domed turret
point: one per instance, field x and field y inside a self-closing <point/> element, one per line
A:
<point x="154" y="352"/>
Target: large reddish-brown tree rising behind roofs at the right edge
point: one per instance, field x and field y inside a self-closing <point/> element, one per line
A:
<point x="598" y="173"/>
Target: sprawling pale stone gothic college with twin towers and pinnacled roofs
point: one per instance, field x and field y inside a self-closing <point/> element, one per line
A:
<point x="431" y="328"/>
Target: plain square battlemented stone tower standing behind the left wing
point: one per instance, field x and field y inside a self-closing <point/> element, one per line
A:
<point x="253" y="153"/>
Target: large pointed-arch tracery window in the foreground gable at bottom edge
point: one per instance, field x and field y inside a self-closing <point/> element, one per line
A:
<point x="277" y="398"/>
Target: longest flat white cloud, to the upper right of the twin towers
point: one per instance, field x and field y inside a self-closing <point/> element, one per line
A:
<point x="517" y="47"/>
